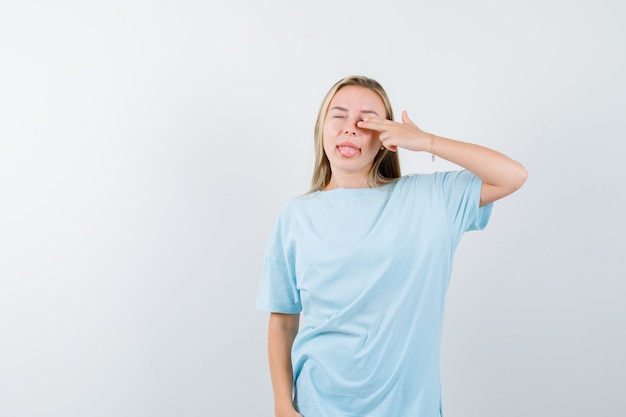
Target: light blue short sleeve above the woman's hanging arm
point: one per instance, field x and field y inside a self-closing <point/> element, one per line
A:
<point x="278" y="290"/>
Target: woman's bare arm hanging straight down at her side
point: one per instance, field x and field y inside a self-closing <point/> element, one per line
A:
<point x="282" y="331"/>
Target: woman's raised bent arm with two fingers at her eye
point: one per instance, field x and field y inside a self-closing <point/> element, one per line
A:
<point x="500" y="174"/>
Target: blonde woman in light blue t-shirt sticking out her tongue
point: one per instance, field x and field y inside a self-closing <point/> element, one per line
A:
<point x="366" y="256"/>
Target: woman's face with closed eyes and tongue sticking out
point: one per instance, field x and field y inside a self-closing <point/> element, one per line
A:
<point x="350" y="149"/>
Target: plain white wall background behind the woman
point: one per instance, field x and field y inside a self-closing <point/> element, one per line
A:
<point x="146" y="147"/>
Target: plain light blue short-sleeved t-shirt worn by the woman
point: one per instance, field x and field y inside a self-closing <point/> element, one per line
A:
<point x="369" y="270"/>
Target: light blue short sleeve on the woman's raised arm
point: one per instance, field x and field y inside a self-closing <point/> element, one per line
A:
<point x="461" y="190"/>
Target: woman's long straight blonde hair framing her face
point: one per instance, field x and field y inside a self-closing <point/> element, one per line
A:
<point x="386" y="165"/>
